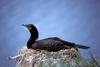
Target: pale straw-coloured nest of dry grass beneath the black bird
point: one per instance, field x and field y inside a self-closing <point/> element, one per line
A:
<point x="33" y="58"/>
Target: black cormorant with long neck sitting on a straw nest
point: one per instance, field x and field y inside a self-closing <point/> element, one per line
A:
<point x="49" y="44"/>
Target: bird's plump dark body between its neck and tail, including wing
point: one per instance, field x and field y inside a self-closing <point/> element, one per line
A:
<point x="50" y="44"/>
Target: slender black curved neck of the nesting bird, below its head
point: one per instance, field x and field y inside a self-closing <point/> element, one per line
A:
<point x="33" y="38"/>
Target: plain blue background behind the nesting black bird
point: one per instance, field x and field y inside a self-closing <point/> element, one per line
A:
<point x="75" y="21"/>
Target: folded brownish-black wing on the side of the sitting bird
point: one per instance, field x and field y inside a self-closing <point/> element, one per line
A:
<point x="48" y="44"/>
